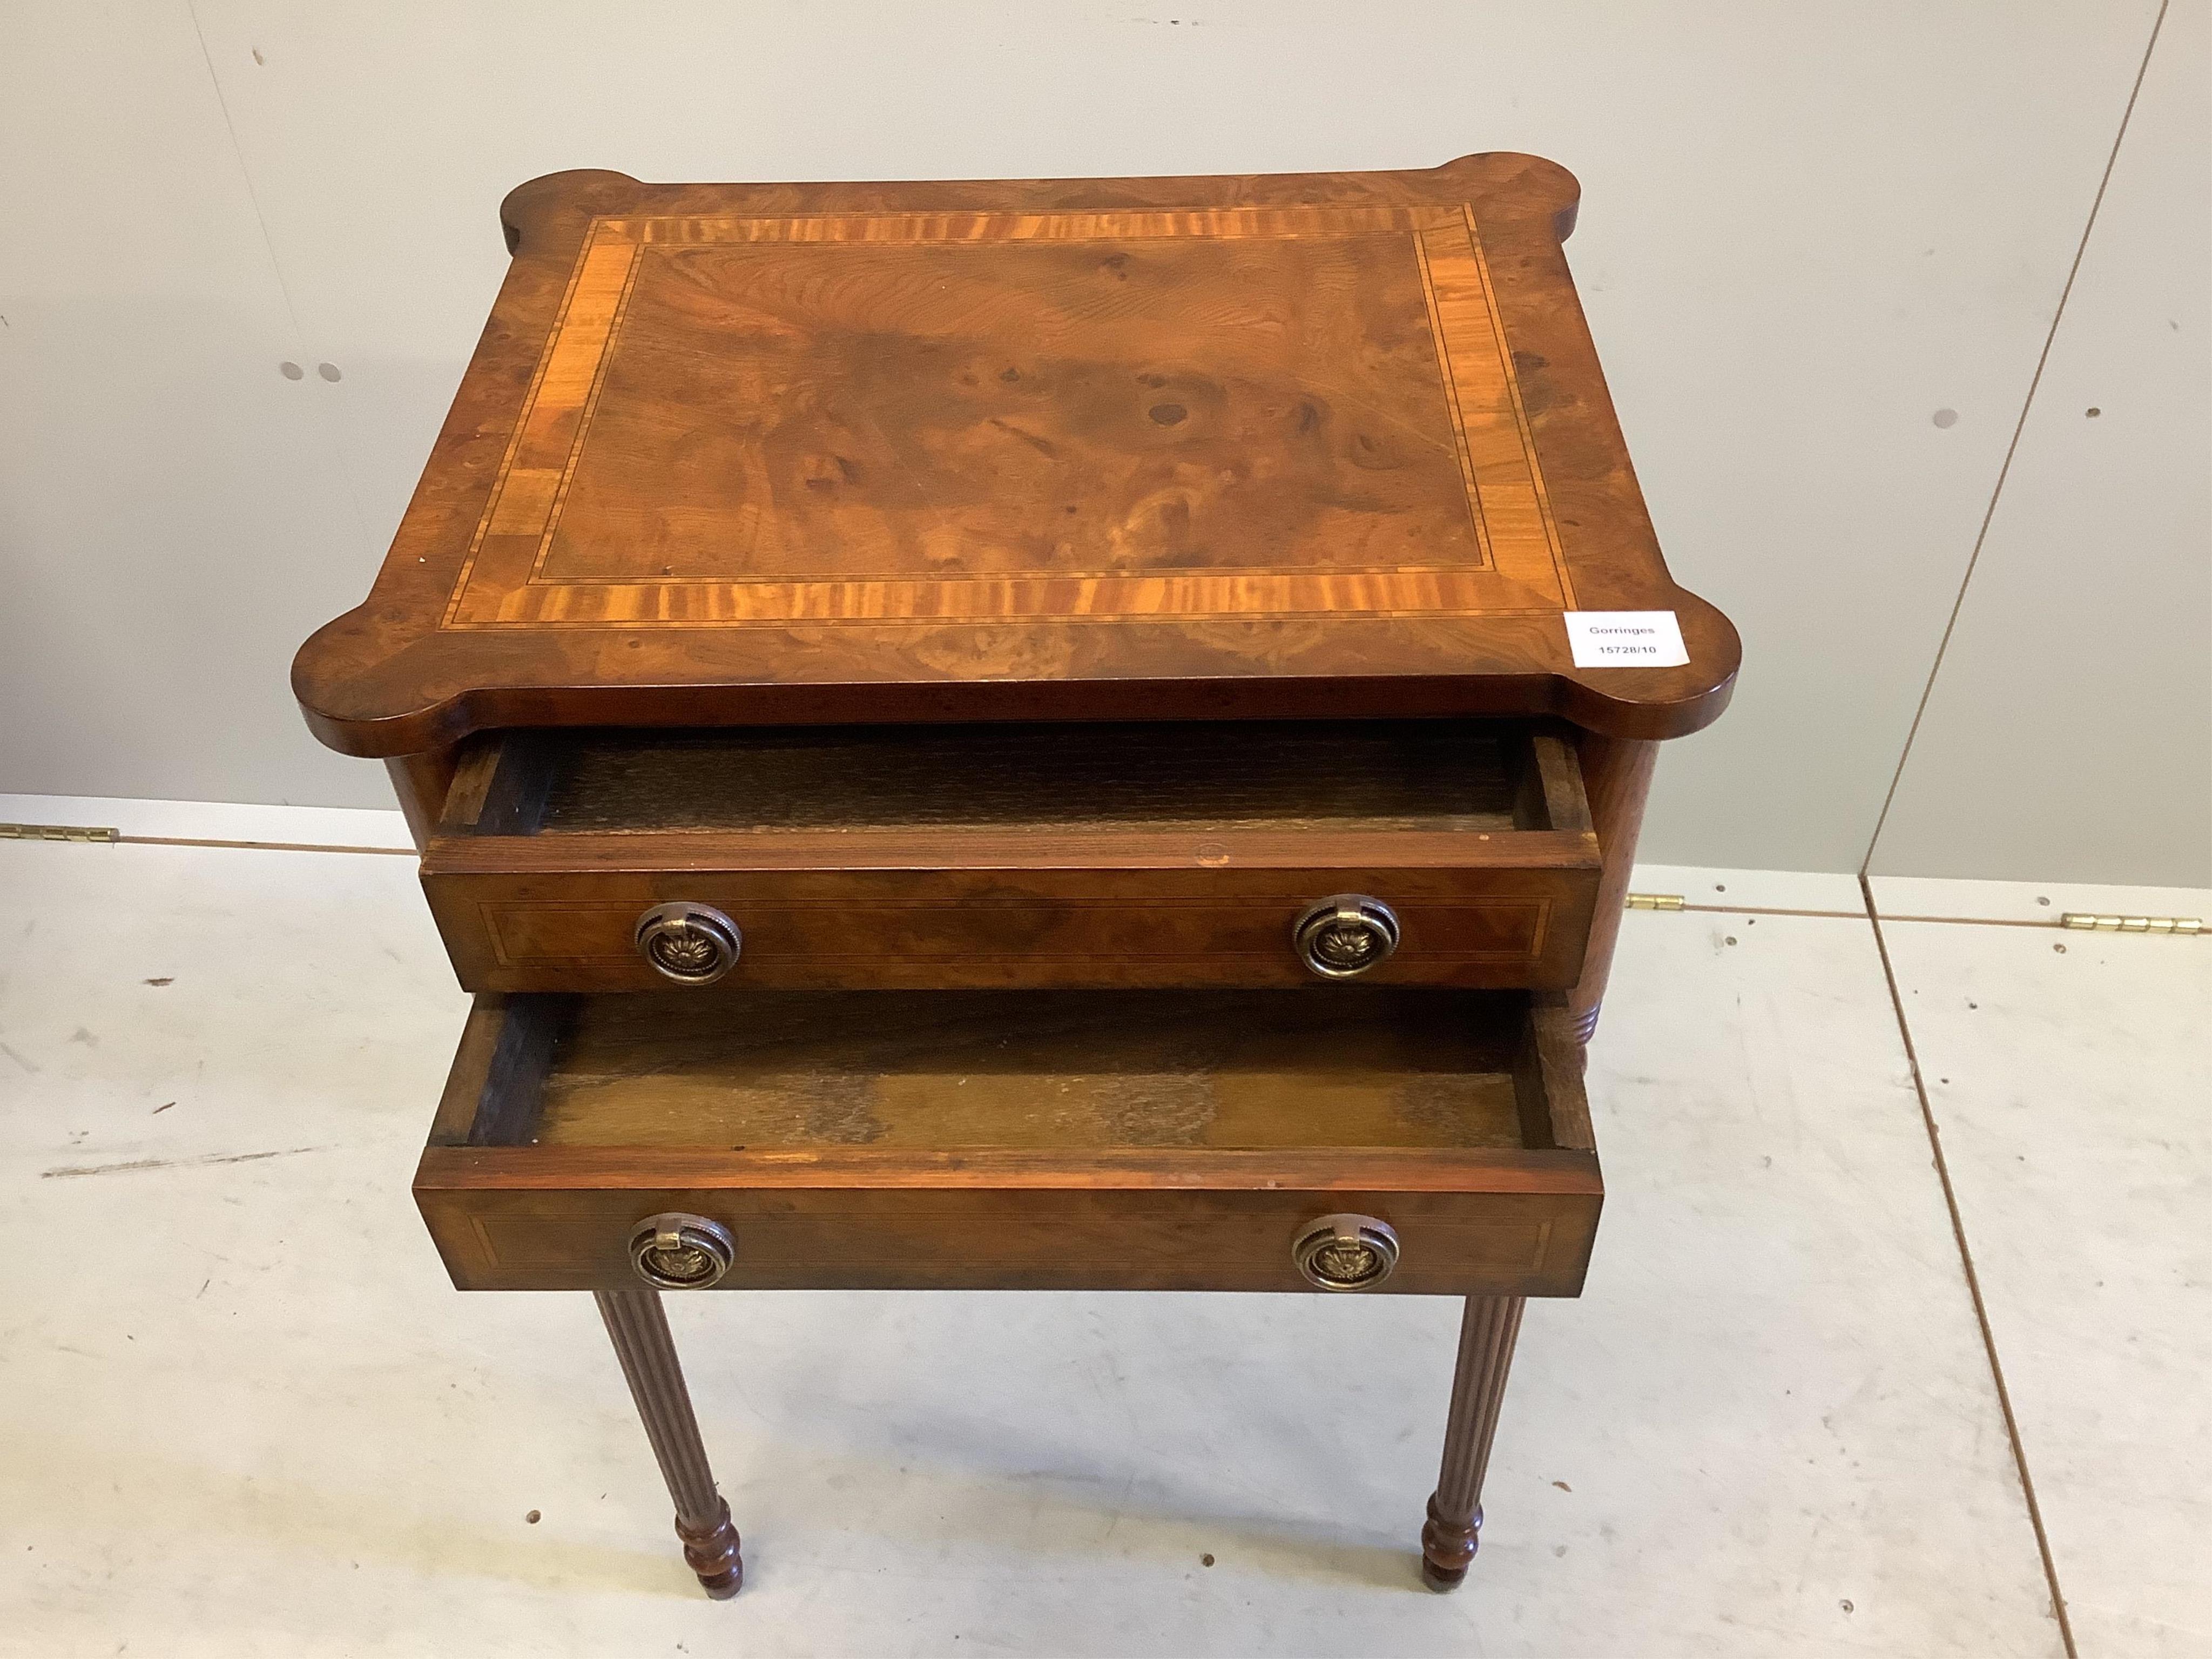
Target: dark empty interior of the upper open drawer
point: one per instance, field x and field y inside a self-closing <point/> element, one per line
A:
<point x="1156" y="778"/>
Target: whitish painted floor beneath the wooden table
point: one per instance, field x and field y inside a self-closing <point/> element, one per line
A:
<point x="242" y="1412"/>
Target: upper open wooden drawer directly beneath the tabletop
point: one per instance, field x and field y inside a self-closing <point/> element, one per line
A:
<point x="1019" y="857"/>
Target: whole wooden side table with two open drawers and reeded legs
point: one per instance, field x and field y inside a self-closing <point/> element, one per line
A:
<point x="1034" y="735"/>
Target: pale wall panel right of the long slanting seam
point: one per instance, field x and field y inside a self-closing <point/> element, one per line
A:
<point x="2069" y="731"/>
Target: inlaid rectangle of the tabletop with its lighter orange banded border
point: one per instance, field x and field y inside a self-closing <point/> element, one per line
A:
<point x="1355" y="419"/>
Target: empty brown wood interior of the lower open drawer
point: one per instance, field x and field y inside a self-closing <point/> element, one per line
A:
<point x="1023" y="1070"/>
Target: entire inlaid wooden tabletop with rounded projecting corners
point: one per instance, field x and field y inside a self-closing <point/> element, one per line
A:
<point x="755" y="455"/>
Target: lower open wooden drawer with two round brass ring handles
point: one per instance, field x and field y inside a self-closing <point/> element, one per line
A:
<point x="1406" y="1140"/>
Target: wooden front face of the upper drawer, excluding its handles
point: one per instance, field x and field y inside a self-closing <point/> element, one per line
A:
<point x="963" y="928"/>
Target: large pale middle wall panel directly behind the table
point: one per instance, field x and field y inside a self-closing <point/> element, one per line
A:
<point x="1806" y="229"/>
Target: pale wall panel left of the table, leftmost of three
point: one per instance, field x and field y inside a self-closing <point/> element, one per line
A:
<point x="171" y="512"/>
